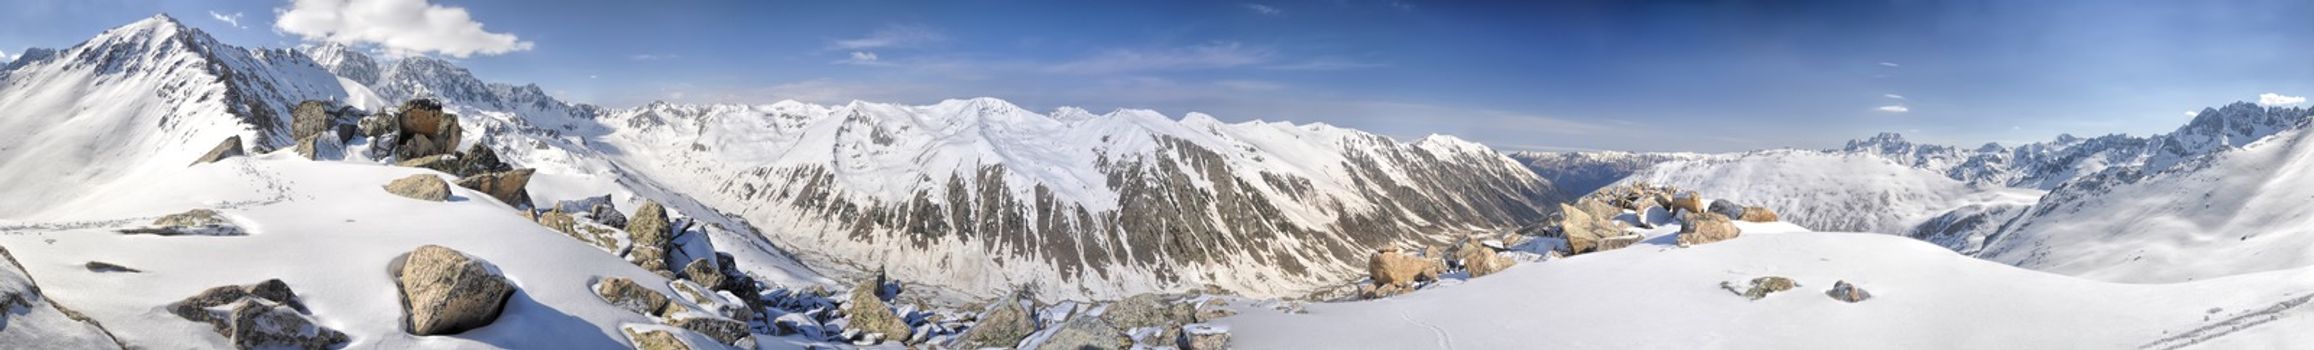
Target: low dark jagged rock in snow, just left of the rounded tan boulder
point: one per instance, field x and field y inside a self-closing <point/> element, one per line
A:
<point x="258" y="316"/>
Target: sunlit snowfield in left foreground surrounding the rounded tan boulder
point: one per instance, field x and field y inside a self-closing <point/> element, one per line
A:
<point x="330" y="233"/>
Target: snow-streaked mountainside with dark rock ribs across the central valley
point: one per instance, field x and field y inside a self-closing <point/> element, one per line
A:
<point x="985" y="196"/>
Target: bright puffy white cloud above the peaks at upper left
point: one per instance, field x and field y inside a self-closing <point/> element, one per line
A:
<point x="401" y="27"/>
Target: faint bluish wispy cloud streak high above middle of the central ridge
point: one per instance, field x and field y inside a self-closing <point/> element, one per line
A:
<point x="1204" y="57"/>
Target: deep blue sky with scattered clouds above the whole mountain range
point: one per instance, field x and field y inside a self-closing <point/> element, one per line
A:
<point x="1512" y="75"/>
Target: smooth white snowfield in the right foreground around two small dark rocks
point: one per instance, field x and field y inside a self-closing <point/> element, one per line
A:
<point x="1924" y="296"/>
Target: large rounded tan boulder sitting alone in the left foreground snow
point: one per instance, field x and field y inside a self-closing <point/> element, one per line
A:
<point x="445" y="291"/>
